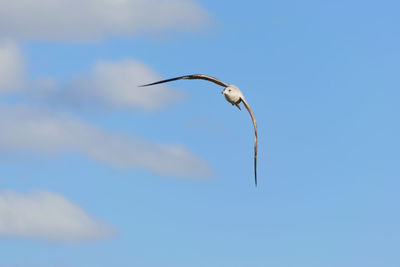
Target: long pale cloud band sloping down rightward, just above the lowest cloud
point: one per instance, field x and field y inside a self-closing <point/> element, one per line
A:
<point x="25" y="129"/>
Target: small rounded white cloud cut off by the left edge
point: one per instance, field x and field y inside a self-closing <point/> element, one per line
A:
<point x="12" y="67"/>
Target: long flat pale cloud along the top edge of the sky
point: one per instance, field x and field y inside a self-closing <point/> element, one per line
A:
<point x="92" y="19"/>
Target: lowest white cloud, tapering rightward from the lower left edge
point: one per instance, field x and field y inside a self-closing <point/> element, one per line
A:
<point x="48" y="216"/>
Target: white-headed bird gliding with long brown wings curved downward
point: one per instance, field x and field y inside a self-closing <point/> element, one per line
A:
<point x="232" y="94"/>
